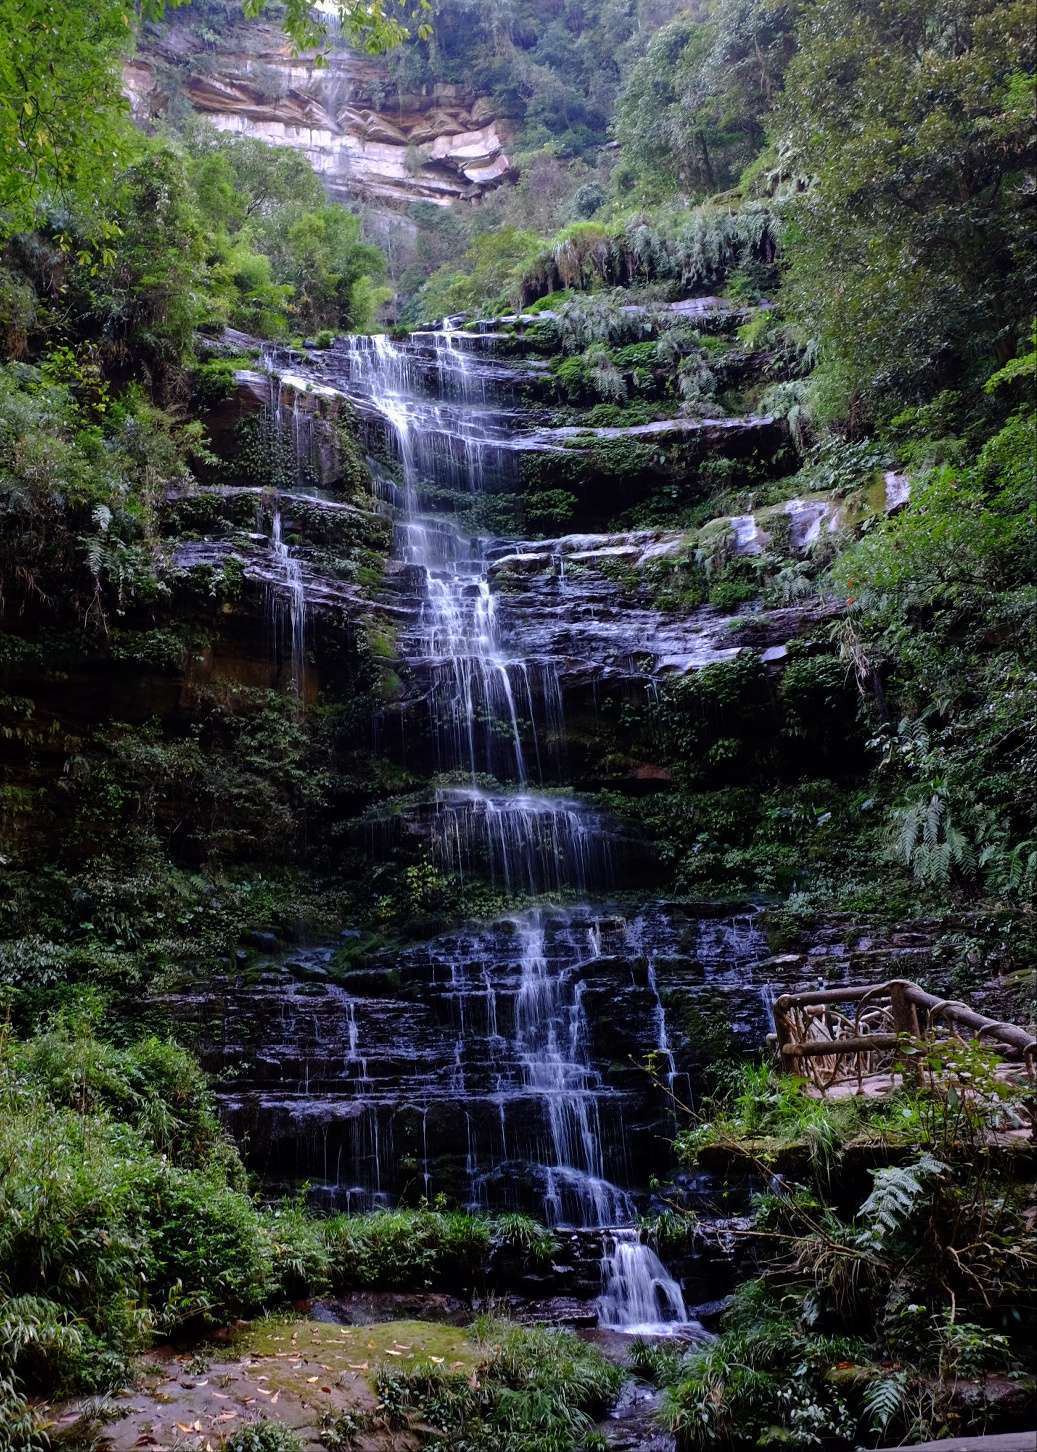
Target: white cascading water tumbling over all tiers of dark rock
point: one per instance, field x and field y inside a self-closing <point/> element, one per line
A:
<point x="493" y="711"/>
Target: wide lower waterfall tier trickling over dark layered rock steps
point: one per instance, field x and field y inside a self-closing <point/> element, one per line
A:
<point x="502" y="1062"/>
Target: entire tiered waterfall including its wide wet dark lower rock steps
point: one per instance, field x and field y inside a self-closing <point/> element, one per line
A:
<point x="499" y="1065"/>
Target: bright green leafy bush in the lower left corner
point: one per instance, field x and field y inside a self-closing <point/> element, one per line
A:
<point x="108" y="1236"/>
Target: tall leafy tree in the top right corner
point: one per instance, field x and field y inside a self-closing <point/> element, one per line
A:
<point x="911" y="253"/>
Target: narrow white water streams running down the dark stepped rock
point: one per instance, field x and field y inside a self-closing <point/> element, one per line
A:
<point x="490" y="708"/>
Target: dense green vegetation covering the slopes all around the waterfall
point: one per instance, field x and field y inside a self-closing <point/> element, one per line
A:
<point x="861" y="168"/>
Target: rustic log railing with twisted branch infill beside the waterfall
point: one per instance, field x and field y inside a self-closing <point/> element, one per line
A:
<point x="839" y="1036"/>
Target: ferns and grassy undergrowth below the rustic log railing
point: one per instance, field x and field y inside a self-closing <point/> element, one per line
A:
<point x="881" y="1294"/>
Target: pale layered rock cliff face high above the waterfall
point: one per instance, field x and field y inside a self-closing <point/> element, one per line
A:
<point x="367" y="140"/>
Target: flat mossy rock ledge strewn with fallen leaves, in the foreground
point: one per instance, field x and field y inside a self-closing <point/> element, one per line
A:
<point x="294" y="1384"/>
